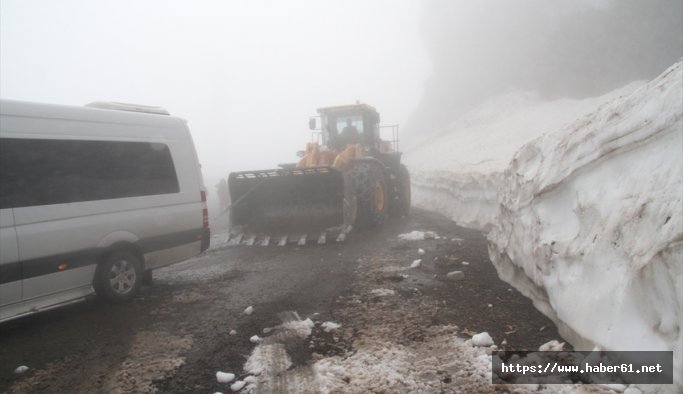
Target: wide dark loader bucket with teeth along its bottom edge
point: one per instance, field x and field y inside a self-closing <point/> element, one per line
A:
<point x="286" y="201"/>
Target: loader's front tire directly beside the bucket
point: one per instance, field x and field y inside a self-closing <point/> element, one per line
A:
<point x="371" y="195"/>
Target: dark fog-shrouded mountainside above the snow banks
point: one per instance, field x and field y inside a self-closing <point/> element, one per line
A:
<point x="573" y="49"/>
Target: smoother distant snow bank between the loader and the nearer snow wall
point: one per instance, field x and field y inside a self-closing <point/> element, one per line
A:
<point x="457" y="172"/>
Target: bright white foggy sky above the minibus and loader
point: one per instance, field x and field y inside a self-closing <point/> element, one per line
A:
<point x="245" y="74"/>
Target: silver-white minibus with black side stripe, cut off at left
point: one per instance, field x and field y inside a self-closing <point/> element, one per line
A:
<point x="92" y="199"/>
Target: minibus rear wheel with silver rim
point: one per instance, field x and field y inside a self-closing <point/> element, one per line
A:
<point x="119" y="277"/>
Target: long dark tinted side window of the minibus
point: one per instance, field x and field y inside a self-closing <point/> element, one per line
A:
<point x="48" y="171"/>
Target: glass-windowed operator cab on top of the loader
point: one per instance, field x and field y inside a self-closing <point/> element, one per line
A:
<point x="350" y="124"/>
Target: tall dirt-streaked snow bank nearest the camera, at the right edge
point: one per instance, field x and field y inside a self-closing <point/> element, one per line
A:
<point x="591" y="223"/>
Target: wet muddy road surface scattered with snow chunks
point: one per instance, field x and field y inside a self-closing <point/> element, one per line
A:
<point x="310" y="305"/>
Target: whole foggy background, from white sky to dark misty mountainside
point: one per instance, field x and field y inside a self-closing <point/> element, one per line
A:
<point x="247" y="74"/>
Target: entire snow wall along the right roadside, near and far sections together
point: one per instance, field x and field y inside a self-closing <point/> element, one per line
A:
<point x="587" y="219"/>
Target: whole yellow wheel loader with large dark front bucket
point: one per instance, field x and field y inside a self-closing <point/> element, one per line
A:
<point x="348" y="178"/>
